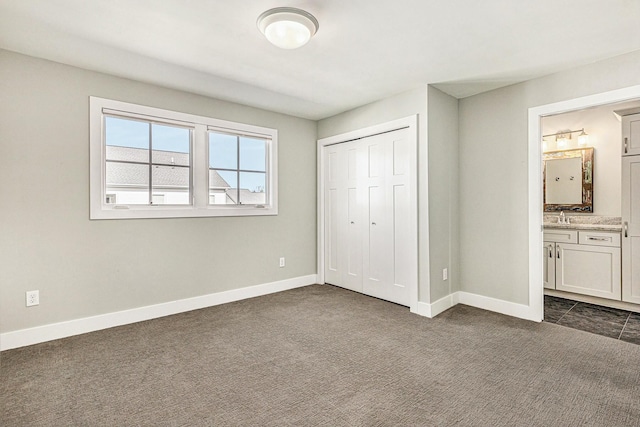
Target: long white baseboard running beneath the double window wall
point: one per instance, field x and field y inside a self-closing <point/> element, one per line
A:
<point x="39" y="334"/>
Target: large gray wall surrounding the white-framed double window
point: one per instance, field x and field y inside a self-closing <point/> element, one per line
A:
<point x="85" y="268"/>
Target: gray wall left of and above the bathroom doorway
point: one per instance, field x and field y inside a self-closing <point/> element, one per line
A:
<point x="493" y="172"/>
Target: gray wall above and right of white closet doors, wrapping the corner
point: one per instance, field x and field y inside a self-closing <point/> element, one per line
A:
<point x="440" y="136"/>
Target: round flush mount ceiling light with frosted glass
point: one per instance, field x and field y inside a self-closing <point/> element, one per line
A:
<point x="287" y="27"/>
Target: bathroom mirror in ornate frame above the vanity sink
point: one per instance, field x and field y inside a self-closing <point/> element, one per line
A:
<point x="568" y="180"/>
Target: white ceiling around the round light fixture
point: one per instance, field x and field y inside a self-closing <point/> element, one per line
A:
<point x="364" y="50"/>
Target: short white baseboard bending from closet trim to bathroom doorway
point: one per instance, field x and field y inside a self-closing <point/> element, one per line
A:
<point x="486" y="303"/>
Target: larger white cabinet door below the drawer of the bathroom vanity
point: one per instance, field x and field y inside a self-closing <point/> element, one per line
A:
<point x="588" y="270"/>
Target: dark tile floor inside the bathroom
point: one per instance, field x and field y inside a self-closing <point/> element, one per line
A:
<point x="610" y="322"/>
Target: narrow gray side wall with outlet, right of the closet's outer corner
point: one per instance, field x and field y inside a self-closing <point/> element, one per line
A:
<point x="442" y="128"/>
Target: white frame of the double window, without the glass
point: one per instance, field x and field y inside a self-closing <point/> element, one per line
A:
<point x="200" y="207"/>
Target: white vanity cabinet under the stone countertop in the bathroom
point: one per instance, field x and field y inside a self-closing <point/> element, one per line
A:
<point x="584" y="262"/>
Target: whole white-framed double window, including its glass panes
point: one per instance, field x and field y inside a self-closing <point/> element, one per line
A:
<point x="151" y="163"/>
